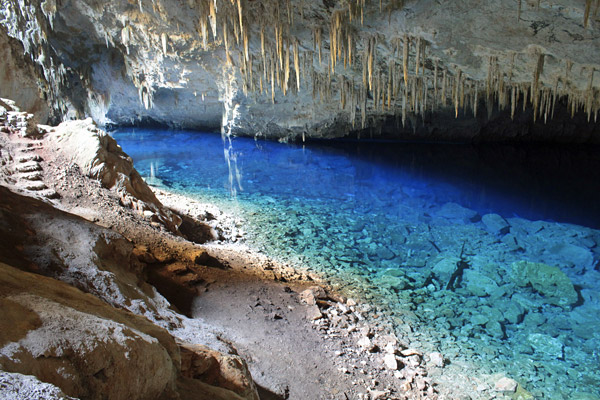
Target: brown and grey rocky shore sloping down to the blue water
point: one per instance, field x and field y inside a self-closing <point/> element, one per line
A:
<point x="108" y="294"/>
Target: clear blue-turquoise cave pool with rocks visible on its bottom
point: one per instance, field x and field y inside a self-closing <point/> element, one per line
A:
<point x="390" y="221"/>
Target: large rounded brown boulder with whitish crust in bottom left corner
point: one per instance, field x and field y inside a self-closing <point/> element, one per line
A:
<point x="79" y="343"/>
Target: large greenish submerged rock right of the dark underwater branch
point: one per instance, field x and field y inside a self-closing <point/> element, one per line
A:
<point x="549" y="281"/>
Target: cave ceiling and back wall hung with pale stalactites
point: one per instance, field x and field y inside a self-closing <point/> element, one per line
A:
<point x="416" y="69"/>
